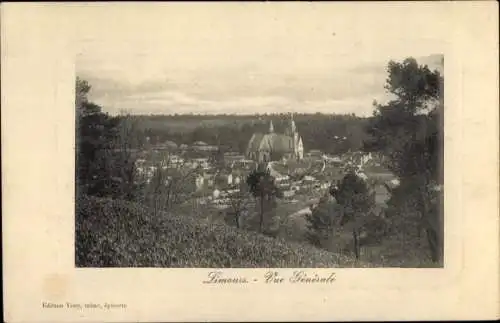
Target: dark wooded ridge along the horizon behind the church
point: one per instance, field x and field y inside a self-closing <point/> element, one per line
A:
<point x="331" y="133"/>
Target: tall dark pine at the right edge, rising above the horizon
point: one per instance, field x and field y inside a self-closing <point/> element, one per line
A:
<point x="407" y="131"/>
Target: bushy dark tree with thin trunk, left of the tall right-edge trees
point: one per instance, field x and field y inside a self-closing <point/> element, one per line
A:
<point x="357" y="201"/>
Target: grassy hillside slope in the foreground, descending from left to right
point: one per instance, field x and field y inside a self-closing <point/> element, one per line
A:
<point x="112" y="233"/>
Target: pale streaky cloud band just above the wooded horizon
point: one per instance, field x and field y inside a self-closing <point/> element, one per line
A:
<point x="247" y="90"/>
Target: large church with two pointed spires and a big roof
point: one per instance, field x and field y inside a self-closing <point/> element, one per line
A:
<point x="271" y="146"/>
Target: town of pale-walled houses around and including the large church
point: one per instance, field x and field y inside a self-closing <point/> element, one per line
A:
<point x="215" y="181"/>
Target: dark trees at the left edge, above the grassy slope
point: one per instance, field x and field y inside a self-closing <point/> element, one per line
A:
<point x="105" y="165"/>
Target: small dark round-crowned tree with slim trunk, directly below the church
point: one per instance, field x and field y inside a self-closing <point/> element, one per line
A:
<point x="263" y="188"/>
